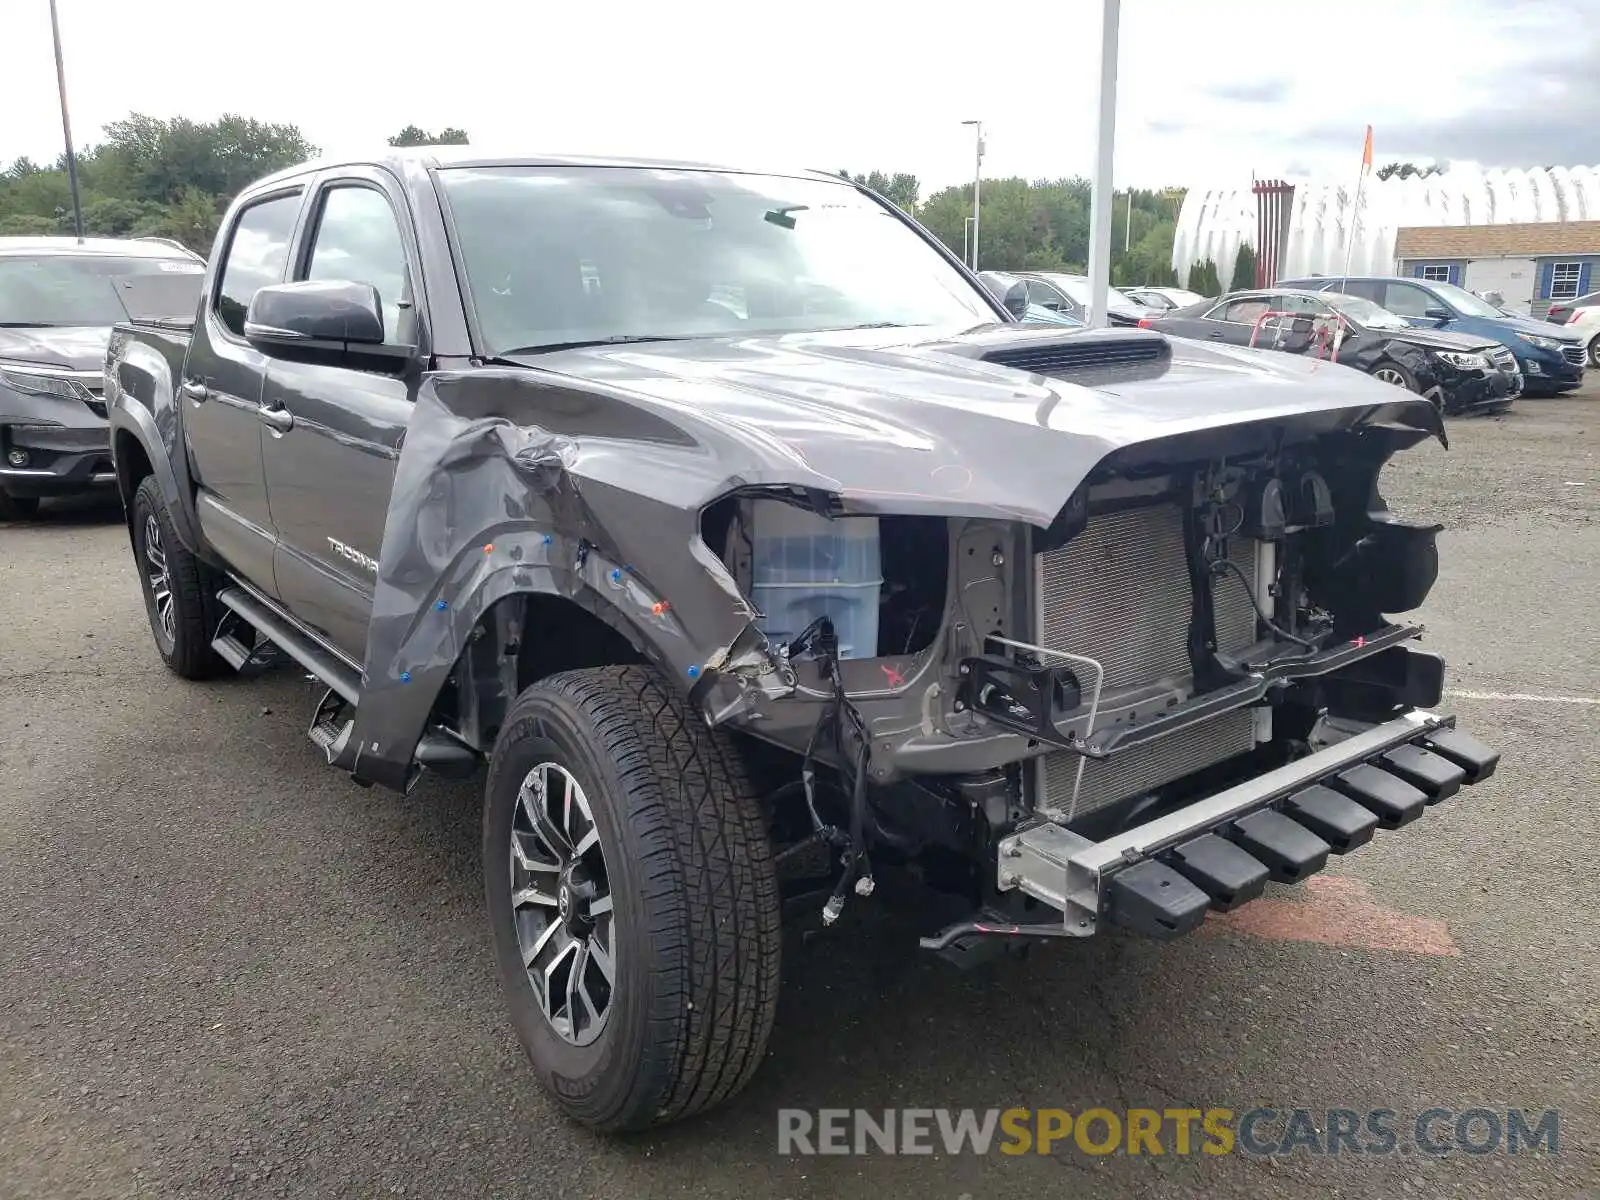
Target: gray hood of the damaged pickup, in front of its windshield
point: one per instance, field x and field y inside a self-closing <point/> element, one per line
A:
<point x="930" y="428"/>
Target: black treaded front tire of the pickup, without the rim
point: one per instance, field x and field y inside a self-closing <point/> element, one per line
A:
<point x="695" y="935"/>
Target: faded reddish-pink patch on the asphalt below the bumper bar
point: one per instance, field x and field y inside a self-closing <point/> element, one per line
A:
<point x="1337" y="911"/>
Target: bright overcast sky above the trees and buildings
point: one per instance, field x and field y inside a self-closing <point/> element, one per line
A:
<point x="1210" y="90"/>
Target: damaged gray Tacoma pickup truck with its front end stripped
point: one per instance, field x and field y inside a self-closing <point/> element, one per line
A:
<point x="766" y="558"/>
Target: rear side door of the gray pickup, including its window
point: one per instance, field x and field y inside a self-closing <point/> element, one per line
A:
<point x="222" y="391"/>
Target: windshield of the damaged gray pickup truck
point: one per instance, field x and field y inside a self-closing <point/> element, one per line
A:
<point x="575" y="255"/>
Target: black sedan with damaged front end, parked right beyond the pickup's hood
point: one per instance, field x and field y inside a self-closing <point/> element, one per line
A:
<point x="1463" y="374"/>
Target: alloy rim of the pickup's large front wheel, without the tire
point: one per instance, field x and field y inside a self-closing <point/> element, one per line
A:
<point x="561" y="898"/>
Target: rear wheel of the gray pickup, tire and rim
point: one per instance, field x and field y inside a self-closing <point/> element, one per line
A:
<point x="186" y="646"/>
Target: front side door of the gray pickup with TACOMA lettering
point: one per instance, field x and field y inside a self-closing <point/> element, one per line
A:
<point x="335" y="439"/>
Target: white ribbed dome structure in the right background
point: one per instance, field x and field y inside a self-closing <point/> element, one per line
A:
<point x="1214" y="223"/>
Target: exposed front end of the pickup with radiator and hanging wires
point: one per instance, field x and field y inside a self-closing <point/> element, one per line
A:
<point x="1182" y="626"/>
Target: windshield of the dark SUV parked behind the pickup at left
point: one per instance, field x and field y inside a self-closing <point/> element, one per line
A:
<point x="71" y="289"/>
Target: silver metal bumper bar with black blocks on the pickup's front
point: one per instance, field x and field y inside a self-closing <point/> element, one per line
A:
<point x="1220" y="852"/>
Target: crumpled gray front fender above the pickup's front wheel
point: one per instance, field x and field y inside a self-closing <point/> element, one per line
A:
<point x="510" y="484"/>
